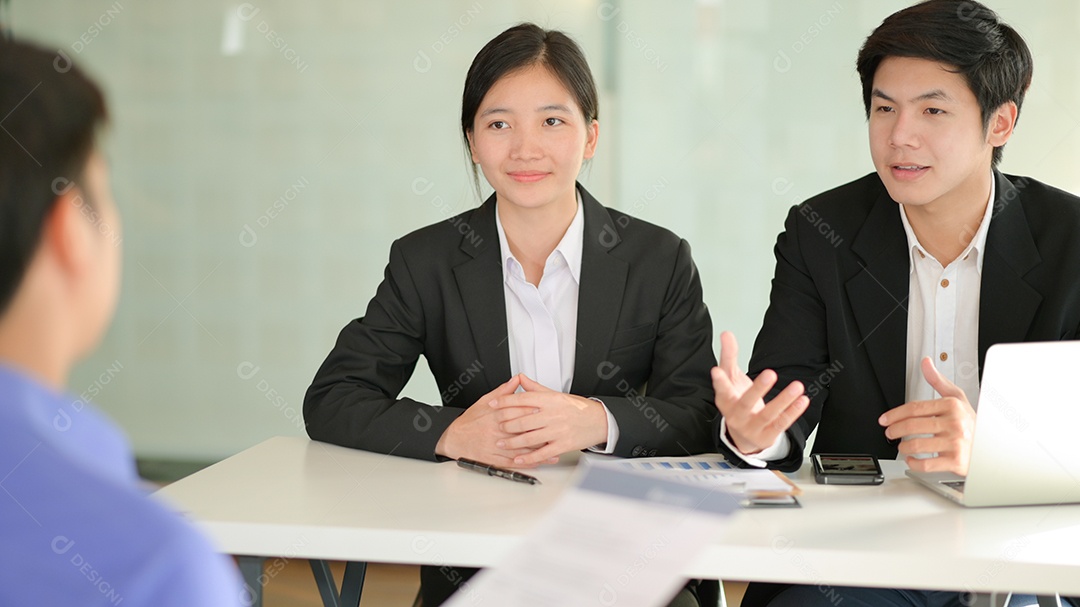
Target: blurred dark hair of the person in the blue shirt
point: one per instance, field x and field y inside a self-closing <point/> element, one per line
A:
<point x="51" y="114"/>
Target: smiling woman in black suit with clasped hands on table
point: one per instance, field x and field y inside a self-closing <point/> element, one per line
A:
<point x="550" y="322"/>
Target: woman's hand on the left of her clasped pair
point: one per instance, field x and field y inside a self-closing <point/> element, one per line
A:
<point x="475" y="434"/>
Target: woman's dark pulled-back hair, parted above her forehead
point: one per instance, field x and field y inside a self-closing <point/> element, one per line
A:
<point x="525" y="46"/>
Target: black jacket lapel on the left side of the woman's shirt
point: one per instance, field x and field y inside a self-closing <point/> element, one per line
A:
<point x="480" y="282"/>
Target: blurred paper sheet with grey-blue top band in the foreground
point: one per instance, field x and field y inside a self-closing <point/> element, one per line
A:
<point x="616" y="538"/>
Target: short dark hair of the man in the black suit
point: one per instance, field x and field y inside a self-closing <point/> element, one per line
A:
<point x="991" y="57"/>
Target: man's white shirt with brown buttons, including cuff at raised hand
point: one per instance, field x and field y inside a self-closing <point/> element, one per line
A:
<point x="942" y="323"/>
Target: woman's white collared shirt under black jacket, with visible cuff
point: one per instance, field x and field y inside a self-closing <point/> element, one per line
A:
<point x="543" y="320"/>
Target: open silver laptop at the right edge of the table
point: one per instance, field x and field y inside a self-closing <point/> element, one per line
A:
<point x="1024" y="450"/>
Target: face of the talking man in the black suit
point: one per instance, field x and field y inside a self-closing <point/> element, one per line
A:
<point x="927" y="137"/>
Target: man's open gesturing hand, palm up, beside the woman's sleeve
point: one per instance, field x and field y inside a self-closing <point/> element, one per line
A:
<point x="753" y="425"/>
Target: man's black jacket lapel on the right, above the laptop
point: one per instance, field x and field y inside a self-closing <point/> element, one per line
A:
<point x="1007" y="304"/>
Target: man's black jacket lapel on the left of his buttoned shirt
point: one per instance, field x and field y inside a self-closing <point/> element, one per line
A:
<point x="879" y="296"/>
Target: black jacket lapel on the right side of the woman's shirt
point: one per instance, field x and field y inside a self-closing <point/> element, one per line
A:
<point x="600" y="295"/>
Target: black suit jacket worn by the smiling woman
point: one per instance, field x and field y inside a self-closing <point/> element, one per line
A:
<point x="644" y="339"/>
